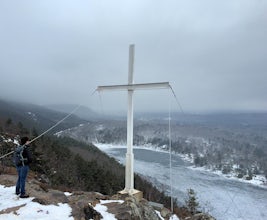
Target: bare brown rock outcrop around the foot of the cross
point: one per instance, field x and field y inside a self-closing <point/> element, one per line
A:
<point x="83" y="203"/>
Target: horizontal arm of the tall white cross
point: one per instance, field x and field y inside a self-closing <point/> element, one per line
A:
<point x="160" y="85"/>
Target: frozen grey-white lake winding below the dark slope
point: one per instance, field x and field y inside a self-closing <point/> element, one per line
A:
<point x="223" y="198"/>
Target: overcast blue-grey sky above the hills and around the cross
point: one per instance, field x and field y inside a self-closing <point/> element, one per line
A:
<point x="213" y="53"/>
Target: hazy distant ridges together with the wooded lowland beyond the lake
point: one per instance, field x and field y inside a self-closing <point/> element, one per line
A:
<point x="218" y="140"/>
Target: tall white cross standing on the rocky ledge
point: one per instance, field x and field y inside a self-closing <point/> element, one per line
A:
<point x="130" y="87"/>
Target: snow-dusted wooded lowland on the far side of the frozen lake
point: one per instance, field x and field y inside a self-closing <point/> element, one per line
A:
<point x="234" y="143"/>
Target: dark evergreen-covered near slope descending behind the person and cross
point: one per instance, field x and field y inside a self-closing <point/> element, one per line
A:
<point x="65" y="163"/>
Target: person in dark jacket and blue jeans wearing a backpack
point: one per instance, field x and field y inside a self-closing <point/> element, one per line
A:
<point x="22" y="159"/>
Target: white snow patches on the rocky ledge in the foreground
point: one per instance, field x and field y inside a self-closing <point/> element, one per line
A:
<point x="27" y="209"/>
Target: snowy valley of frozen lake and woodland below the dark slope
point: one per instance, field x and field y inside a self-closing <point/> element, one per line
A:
<point x="225" y="154"/>
